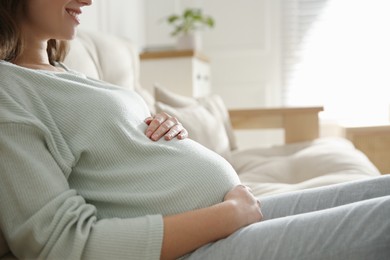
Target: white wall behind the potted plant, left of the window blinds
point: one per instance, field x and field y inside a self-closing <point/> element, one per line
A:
<point x="243" y="48"/>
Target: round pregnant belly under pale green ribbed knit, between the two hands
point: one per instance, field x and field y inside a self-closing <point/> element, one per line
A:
<point x="173" y="178"/>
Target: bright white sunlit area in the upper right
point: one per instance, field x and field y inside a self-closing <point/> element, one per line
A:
<point x="346" y="62"/>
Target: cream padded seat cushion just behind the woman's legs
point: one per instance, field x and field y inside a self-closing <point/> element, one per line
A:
<point x="298" y="166"/>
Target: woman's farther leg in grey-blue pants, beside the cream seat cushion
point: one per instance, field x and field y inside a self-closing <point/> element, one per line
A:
<point x="304" y="201"/>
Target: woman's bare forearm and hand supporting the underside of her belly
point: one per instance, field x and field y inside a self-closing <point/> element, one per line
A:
<point x="190" y="230"/>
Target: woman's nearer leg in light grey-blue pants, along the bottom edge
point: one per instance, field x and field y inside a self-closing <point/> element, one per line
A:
<point x="359" y="230"/>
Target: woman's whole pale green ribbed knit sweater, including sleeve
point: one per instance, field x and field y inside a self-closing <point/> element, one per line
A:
<point x="79" y="178"/>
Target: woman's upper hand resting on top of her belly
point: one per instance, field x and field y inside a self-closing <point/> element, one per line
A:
<point x="165" y="125"/>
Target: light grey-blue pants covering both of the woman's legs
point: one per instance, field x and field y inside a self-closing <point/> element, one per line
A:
<point x="343" y="221"/>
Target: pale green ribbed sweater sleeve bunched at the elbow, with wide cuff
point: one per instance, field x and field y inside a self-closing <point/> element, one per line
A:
<point x="42" y="218"/>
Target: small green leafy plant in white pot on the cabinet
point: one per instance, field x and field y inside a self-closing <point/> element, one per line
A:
<point x="186" y="27"/>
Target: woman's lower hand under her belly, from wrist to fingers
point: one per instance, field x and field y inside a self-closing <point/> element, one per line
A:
<point x="248" y="206"/>
